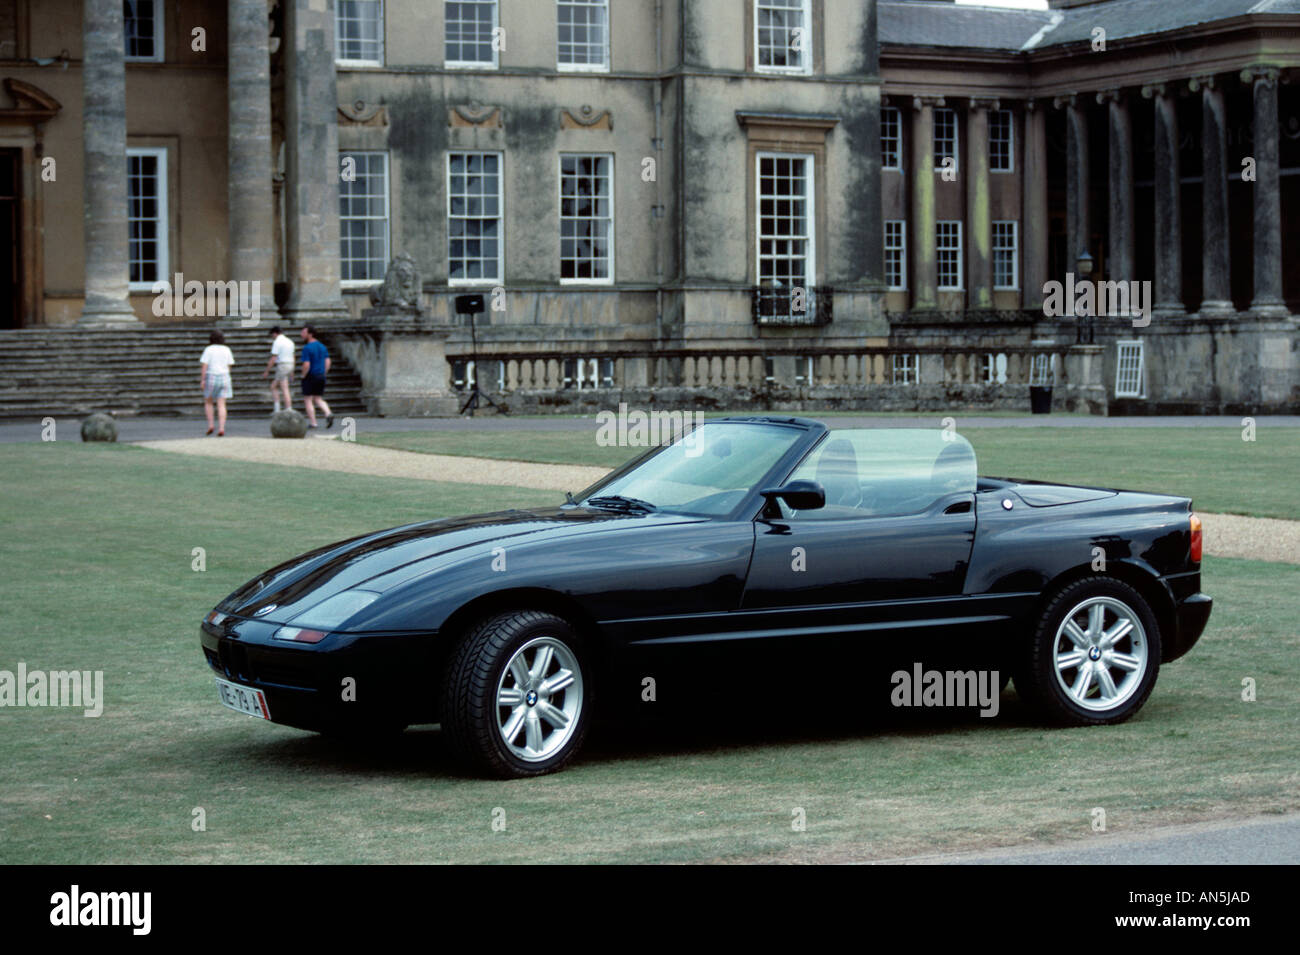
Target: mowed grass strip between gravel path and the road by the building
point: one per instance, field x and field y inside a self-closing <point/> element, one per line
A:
<point x="1214" y="466"/>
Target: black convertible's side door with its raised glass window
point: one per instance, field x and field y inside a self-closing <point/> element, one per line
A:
<point x="889" y="552"/>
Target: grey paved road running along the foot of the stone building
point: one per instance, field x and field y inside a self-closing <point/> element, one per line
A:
<point x="166" y="428"/>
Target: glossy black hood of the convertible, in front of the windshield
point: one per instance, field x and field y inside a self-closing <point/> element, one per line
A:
<point x="385" y="559"/>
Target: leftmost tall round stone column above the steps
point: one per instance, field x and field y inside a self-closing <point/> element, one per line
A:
<point x="105" y="179"/>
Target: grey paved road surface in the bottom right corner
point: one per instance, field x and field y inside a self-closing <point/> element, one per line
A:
<point x="1262" y="841"/>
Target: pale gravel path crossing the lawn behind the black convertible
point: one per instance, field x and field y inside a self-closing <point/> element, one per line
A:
<point x="1227" y="536"/>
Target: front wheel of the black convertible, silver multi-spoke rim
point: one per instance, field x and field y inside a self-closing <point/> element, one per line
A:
<point x="517" y="696"/>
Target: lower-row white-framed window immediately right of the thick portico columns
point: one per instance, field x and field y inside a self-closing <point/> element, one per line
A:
<point x="363" y="216"/>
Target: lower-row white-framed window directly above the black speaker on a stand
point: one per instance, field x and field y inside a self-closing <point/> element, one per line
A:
<point x="474" y="218"/>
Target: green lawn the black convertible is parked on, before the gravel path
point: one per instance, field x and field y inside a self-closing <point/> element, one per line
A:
<point x="97" y="563"/>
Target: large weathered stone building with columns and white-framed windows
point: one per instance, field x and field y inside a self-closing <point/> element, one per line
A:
<point x="778" y="203"/>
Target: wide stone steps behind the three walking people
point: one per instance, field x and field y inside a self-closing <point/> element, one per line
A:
<point x="155" y="372"/>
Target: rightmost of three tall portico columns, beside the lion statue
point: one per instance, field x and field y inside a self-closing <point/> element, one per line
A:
<point x="313" y="167"/>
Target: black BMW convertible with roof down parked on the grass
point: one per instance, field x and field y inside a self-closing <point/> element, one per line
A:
<point x="752" y="546"/>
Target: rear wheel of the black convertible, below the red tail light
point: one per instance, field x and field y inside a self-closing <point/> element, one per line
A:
<point x="1094" y="654"/>
